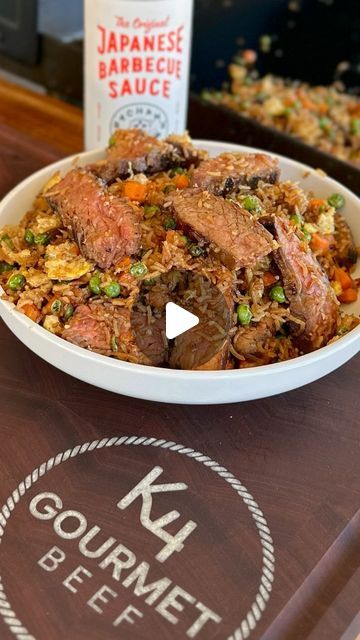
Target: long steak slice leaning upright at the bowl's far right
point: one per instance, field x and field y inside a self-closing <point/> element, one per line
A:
<point x="307" y="288"/>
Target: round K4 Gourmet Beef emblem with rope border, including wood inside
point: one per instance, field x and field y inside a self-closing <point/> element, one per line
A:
<point x="133" y="550"/>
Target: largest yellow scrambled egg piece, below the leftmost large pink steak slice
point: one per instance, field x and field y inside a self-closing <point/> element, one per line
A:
<point x="63" y="262"/>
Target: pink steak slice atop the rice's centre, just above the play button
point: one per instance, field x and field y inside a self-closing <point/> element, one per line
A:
<point x="234" y="235"/>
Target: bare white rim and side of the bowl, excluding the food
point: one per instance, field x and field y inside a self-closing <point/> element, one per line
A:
<point x="164" y="385"/>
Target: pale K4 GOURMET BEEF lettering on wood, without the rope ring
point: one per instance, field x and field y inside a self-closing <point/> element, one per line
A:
<point x="49" y="506"/>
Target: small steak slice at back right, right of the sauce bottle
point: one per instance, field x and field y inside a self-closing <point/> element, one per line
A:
<point x="230" y="171"/>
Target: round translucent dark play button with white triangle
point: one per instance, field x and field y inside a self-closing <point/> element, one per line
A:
<point x="181" y="320"/>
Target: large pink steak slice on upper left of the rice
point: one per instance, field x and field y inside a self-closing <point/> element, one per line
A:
<point x="105" y="226"/>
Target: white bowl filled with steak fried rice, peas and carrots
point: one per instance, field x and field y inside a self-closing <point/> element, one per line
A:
<point x="86" y="241"/>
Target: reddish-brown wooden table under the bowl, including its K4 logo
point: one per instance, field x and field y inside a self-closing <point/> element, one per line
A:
<point x="268" y="491"/>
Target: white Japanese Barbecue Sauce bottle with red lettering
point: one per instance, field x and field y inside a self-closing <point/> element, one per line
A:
<point x="137" y="56"/>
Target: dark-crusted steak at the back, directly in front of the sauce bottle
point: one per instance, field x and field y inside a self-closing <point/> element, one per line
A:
<point x="133" y="151"/>
